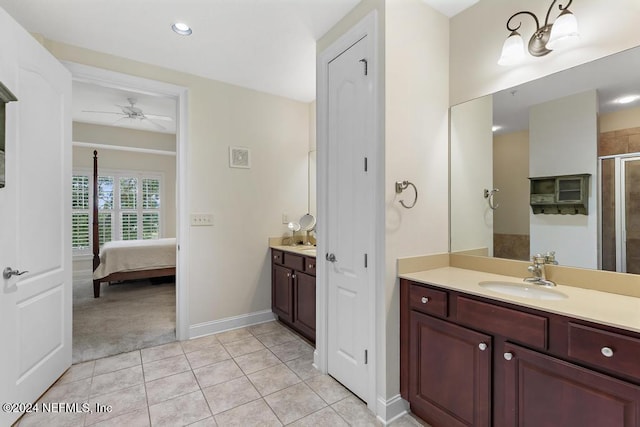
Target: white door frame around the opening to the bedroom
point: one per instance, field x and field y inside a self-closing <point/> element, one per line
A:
<point x="112" y="79"/>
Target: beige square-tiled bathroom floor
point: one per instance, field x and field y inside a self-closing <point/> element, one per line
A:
<point x="259" y="375"/>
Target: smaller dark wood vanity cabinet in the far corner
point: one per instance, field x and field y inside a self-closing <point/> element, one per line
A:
<point x="293" y="291"/>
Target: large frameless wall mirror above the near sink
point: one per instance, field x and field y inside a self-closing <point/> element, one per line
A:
<point x="567" y="123"/>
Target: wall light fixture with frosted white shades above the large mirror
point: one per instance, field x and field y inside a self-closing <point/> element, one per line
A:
<point x="544" y="39"/>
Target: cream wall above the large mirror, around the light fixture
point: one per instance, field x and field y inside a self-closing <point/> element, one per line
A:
<point x="477" y="35"/>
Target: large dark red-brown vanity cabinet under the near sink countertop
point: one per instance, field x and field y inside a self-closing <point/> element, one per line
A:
<point x="470" y="361"/>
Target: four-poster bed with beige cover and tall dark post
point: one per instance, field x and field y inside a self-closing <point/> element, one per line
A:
<point x="128" y="259"/>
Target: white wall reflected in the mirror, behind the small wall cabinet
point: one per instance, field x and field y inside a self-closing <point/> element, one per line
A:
<point x="563" y="140"/>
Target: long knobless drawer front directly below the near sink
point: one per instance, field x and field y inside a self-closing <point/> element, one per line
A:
<point x="512" y="324"/>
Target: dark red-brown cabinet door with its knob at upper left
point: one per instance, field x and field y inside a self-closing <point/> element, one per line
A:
<point x="543" y="391"/>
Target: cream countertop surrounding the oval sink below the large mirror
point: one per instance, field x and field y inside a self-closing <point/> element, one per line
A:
<point x="601" y="307"/>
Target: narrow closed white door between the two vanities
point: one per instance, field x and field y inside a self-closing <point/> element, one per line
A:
<point x="349" y="217"/>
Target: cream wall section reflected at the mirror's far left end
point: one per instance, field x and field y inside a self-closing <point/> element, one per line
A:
<point x="471" y="173"/>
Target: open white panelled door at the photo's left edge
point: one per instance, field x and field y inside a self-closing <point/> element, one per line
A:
<point x="35" y="207"/>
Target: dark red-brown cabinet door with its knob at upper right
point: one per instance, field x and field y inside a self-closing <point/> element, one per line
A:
<point x="450" y="366"/>
